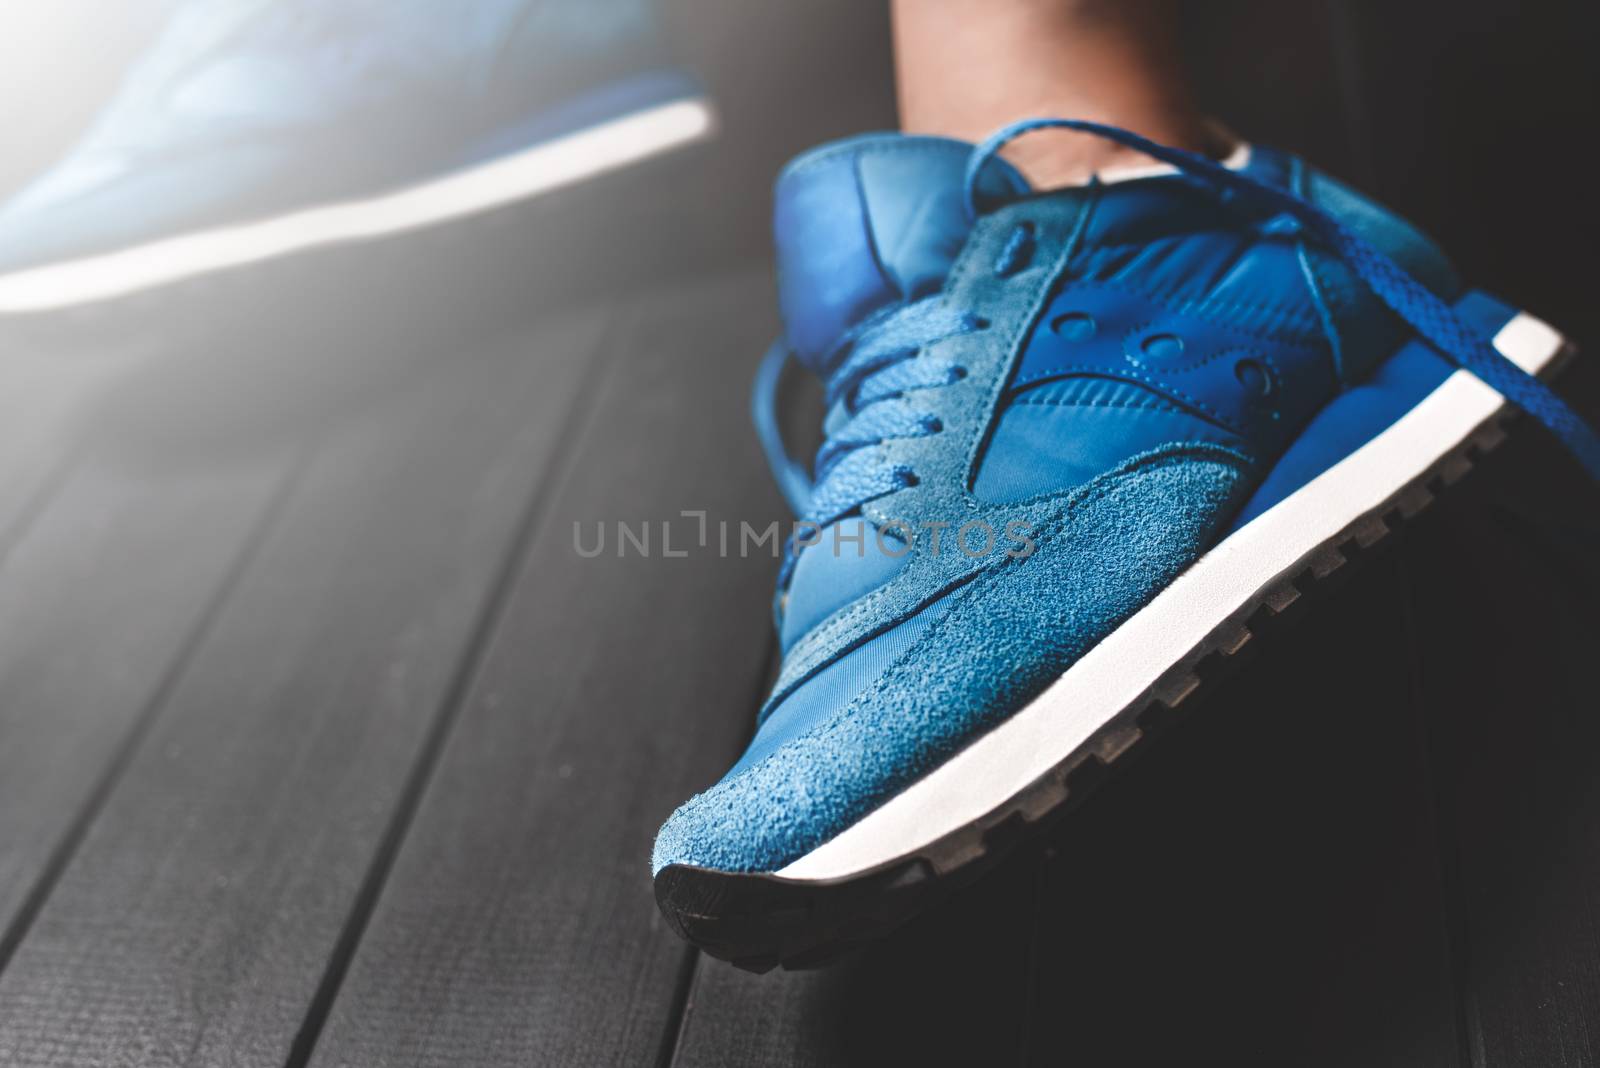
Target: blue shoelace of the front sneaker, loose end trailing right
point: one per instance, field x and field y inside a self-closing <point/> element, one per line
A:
<point x="890" y="354"/>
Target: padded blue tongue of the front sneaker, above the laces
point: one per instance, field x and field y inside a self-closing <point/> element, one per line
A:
<point x="866" y="223"/>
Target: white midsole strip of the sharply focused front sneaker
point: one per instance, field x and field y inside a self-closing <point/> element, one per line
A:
<point x="1134" y="658"/>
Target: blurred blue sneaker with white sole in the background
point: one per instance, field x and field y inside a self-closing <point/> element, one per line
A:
<point x="255" y="113"/>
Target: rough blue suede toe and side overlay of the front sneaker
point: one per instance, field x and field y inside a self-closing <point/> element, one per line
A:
<point x="998" y="642"/>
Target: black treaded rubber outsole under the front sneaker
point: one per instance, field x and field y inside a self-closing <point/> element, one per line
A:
<point x="759" y="922"/>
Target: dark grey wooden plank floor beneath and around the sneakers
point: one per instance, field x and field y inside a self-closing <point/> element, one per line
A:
<point x="322" y="746"/>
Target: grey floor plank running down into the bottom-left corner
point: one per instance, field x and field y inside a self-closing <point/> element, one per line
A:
<point x="199" y="917"/>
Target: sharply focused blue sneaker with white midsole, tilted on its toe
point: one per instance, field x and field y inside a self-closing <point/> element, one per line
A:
<point x="1076" y="445"/>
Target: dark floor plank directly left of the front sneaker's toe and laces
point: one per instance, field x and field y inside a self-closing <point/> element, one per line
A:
<point x="518" y="925"/>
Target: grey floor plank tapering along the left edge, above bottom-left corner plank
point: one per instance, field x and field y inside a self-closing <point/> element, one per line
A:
<point x="98" y="604"/>
